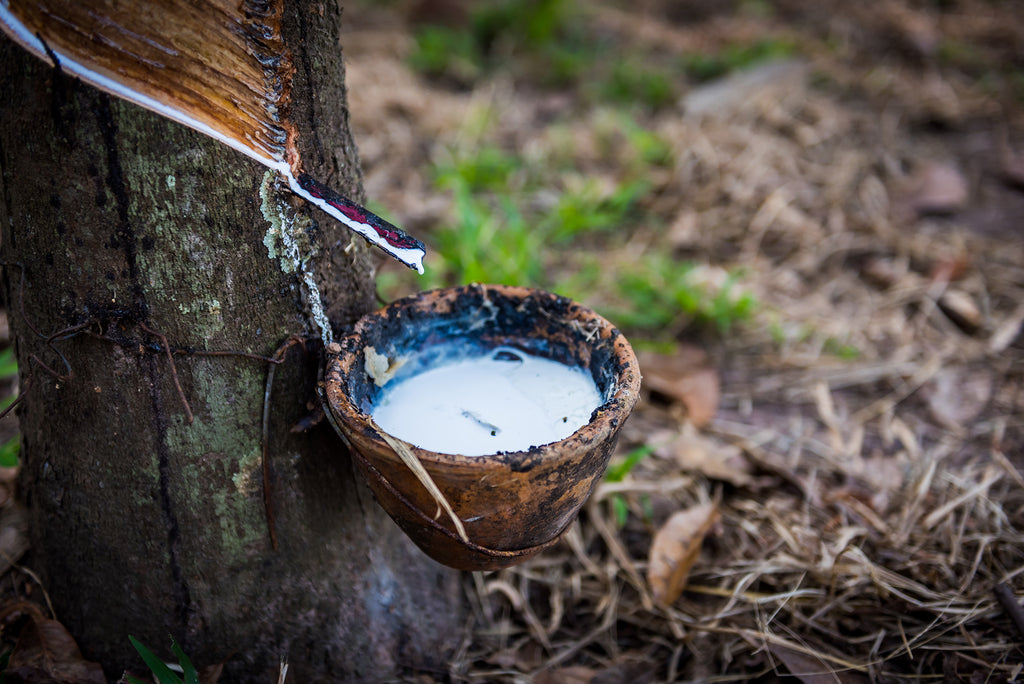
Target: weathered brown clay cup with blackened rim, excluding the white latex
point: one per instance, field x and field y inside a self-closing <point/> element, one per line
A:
<point x="513" y="504"/>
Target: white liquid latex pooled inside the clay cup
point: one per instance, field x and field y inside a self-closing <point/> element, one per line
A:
<point x="507" y="401"/>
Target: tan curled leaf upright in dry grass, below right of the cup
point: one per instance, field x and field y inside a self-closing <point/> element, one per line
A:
<point x="676" y="548"/>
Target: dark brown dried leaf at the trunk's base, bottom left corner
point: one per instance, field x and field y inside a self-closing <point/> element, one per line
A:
<point x="47" y="653"/>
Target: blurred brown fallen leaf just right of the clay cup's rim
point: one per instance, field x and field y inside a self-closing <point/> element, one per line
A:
<point x="687" y="377"/>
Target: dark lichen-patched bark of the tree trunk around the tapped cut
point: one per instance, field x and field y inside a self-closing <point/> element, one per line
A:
<point x="142" y="523"/>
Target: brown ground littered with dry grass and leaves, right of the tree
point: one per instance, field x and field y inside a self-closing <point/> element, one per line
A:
<point x="841" y="472"/>
